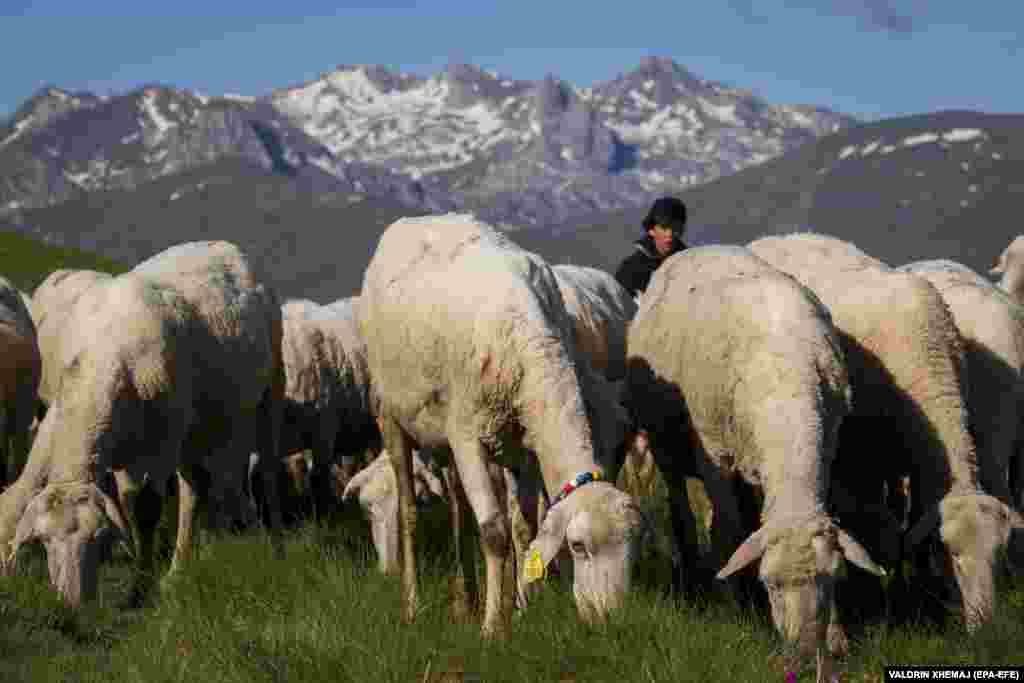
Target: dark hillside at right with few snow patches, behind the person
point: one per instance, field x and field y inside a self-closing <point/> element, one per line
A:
<point x="942" y="186"/>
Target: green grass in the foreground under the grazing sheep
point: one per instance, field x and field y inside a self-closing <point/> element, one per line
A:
<point x="320" y="612"/>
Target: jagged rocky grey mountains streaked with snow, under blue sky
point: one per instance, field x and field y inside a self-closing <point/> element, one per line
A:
<point x="517" y="153"/>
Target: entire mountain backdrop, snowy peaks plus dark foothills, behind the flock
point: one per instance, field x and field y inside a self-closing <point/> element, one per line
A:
<point x="308" y="179"/>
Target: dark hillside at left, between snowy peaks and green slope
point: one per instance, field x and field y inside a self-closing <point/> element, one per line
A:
<point x="313" y="245"/>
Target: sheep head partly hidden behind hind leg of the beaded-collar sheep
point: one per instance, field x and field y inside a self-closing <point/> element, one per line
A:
<point x="374" y="488"/>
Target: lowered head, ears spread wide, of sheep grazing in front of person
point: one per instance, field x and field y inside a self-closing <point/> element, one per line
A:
<point x="800" y="566"/>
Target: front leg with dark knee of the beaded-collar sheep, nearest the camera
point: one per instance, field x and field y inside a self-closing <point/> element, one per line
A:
<point x="472" y="459"/>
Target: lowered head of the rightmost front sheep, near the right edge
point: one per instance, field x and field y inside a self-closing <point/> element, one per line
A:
<point x="975" y="530"/>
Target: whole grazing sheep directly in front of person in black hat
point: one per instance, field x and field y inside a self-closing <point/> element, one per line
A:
<point x="737" y="373"/>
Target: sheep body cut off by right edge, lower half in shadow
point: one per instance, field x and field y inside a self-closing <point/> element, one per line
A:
<point x="993" y="329"/>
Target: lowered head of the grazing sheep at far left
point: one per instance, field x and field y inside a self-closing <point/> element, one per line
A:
<point x="72" y="521"/>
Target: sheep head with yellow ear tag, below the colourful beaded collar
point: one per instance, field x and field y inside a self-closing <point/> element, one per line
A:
<point x="606" y="531"/>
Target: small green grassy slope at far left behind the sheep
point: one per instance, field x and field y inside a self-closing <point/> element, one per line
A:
<point x="27" y="262"/>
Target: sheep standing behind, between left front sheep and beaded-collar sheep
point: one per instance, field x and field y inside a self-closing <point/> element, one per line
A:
<point x="327" y="400"/>
